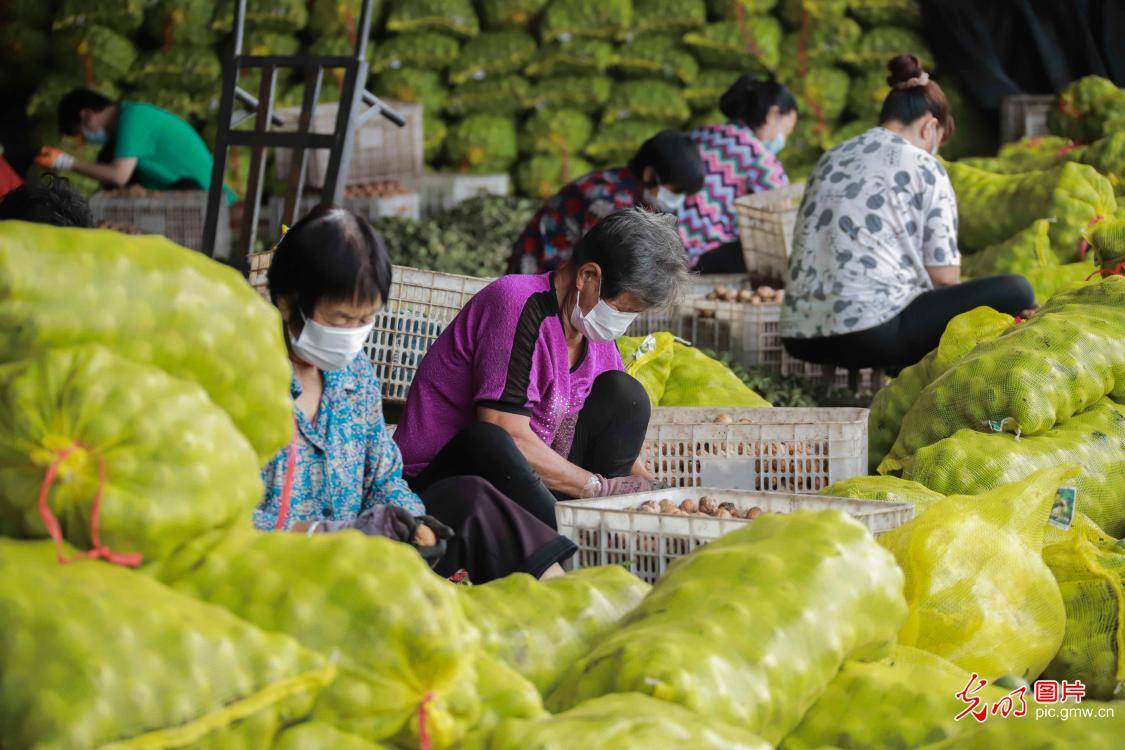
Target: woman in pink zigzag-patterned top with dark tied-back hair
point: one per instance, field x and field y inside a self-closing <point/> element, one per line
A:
<point x="741" y="158"/>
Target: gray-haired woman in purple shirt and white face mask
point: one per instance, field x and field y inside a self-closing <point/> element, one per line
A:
<point x="526" y="387"/>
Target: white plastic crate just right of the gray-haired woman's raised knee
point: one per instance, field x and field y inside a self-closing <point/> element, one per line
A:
<point x="778" y="450"/>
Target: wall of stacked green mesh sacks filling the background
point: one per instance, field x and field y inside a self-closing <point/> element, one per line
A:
<point x="544" y="89"/>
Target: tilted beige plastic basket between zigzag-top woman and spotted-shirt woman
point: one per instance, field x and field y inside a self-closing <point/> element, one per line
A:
<point x="766" y="228"/>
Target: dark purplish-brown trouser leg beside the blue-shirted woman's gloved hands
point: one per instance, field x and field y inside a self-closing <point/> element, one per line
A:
<point x="493" y="536"/>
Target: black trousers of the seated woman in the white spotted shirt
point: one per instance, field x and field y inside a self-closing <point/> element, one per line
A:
<point x="917" y="330"/>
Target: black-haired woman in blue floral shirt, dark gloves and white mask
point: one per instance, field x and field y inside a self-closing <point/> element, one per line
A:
<point x="328" y="278"/>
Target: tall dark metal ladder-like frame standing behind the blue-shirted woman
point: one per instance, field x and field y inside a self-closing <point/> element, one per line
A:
<point x="357" y="106"/>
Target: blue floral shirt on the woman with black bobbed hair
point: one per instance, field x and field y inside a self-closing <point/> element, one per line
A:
<point x="346" y="459"/>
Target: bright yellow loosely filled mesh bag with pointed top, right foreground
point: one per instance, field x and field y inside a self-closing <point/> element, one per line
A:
<point x="978" y="590"/>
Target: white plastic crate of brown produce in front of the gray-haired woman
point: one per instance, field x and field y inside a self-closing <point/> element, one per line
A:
<point x="607" y="534"/>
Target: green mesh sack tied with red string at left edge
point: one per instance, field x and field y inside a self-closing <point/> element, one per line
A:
<point x="127" y="460"/>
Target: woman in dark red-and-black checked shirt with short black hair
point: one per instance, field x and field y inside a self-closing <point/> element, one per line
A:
<point x="664" y="171"/>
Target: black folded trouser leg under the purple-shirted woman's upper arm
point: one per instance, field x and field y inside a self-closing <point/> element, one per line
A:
<point x="488" y="451"/>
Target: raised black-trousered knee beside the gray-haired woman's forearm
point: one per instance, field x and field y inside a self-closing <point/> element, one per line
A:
<point x="611" y="426"/>
